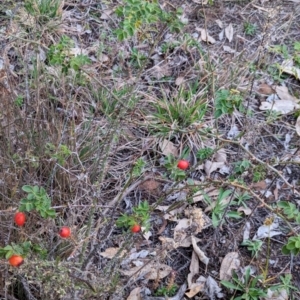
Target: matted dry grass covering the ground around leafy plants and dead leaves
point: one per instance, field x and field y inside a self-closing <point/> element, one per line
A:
<point x="79" y="135"/>
